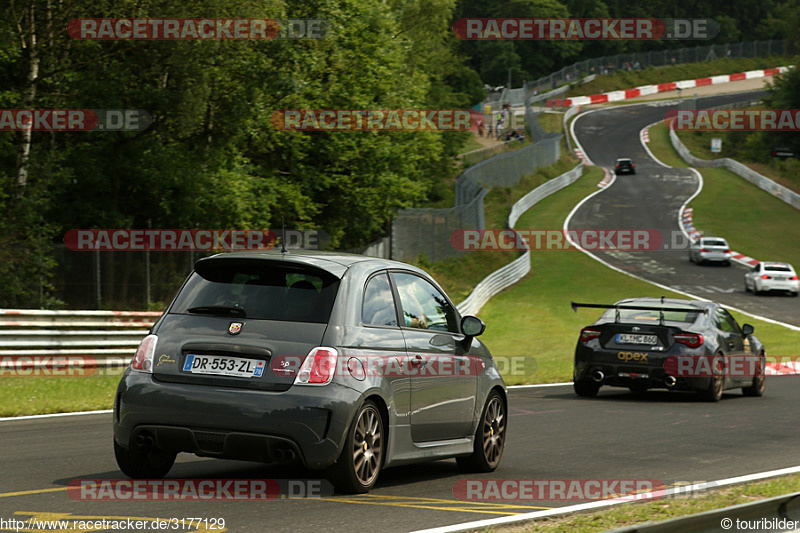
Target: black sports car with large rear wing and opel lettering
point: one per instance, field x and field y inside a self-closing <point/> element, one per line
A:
<point x="650" y="343"/>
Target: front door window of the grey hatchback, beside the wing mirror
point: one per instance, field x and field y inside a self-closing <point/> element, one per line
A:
<point x="424" y="307"/>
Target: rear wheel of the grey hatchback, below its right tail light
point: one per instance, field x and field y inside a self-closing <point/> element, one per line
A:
<point x="358" y="466"/>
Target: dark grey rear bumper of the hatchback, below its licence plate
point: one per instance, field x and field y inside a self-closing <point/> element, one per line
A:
<point x="304" y="422"/>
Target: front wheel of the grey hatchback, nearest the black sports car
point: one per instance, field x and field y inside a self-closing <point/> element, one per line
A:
<point x="490" y="437"/>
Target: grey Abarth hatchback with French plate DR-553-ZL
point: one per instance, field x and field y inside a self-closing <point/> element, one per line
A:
<point x="346" y="363"/>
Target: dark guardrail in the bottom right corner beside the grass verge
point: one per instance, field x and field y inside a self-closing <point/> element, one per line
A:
<point x="765" y="513"/>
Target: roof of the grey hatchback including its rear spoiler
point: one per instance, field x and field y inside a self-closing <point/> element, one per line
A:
<point x="335" y="263"/>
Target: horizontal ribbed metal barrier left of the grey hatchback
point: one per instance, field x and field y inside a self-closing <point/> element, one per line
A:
<point x="109" y="337"/>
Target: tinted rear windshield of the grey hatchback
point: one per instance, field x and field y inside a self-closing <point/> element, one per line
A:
<point x="259" y="290"/>
